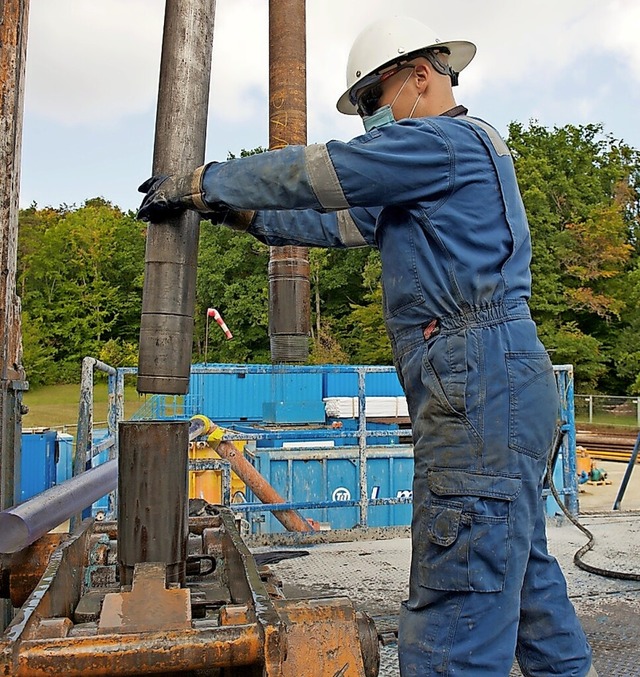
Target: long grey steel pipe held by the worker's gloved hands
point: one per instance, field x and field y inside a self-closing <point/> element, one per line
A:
<point x="168" y="300"/>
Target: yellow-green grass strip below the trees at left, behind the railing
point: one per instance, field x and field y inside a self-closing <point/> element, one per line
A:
<point x="57" y="406"/>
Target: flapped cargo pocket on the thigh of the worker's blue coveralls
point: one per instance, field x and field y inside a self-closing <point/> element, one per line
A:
<point x="465" y="533"/>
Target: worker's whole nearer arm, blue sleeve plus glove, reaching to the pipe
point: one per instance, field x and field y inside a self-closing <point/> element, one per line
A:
<point x="404" y="163"/>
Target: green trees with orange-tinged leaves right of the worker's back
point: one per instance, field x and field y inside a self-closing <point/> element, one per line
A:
<point x="580" y="189"/>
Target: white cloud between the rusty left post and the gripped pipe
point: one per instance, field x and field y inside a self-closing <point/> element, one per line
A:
<point x="92" y="62"/>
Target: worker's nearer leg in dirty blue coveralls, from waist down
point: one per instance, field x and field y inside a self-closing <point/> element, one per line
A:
<point x="483" y="421"/>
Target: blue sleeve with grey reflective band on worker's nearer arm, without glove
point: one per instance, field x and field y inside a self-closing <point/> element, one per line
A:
<point x="403" y="163"/>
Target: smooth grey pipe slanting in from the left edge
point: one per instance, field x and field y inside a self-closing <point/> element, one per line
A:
<point x="25" y="523"/>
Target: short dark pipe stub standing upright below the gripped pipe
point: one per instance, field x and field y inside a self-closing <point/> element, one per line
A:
<point x="153" y="497"/>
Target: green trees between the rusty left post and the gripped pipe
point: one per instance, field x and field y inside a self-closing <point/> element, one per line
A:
<point x="80" y="277"/>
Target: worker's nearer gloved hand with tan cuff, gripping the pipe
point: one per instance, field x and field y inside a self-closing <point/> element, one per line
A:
<point x="167" y="196"/>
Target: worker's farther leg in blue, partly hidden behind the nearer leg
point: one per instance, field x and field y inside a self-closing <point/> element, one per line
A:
<point x="550" y="638"/>
